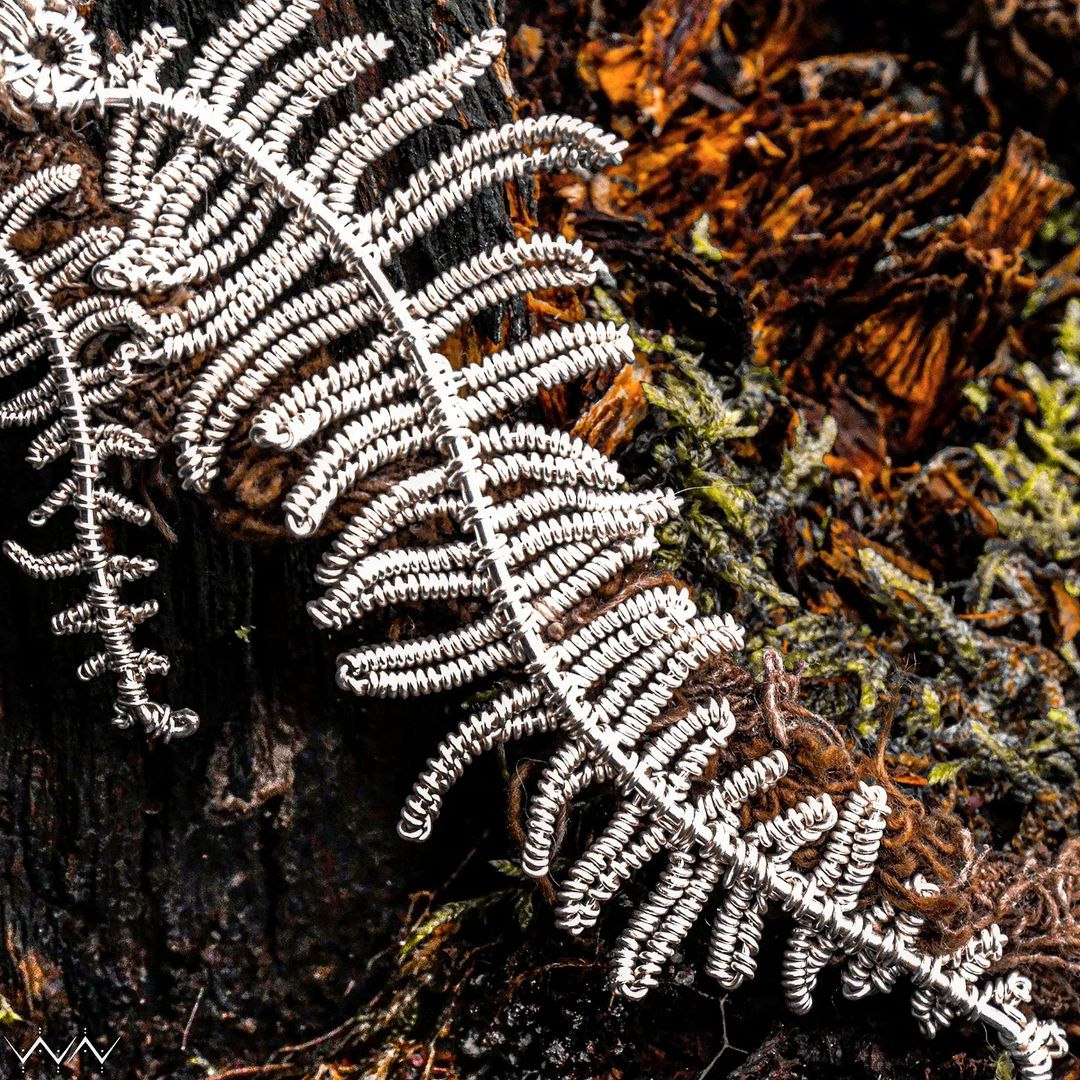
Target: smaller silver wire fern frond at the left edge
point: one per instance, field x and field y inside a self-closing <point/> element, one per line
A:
<point x="40" y="340"/>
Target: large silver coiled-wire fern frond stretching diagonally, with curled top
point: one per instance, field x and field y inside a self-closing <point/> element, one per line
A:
<point x="533" y="522"/>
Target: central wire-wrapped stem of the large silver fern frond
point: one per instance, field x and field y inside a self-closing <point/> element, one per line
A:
<point x="458" y="443"/>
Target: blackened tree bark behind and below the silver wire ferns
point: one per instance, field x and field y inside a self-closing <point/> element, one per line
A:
<point x="253" y="869"/>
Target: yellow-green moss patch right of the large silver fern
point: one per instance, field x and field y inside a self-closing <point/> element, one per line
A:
<point x="960" y="663"/>
